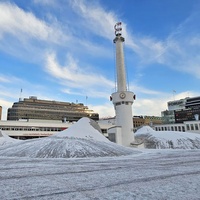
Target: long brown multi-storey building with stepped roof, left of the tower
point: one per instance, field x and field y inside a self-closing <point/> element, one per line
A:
<point x="33" y="108"/>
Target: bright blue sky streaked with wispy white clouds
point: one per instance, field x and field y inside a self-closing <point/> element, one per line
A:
<point x="63" y="50"/>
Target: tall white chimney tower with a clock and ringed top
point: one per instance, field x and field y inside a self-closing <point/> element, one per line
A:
<point x="122" y="99"/>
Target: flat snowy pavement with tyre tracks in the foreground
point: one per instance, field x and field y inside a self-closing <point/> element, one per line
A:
<point x="155" y="174"/>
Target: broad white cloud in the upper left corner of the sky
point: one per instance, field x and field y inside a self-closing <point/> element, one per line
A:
<point x="24" y="25"/>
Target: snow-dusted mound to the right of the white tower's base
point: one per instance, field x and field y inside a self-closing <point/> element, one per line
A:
<point x="167" y="139"/>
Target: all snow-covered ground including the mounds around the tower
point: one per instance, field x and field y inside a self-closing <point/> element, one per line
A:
<point x="108" y="171"/>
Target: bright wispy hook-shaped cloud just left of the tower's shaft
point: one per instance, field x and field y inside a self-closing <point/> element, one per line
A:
<point x="72" y="75"/>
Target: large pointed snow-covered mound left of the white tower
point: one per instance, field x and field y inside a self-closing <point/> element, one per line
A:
<point x="81" y="140"/>
